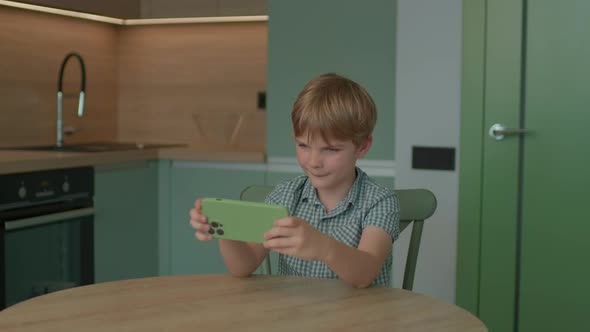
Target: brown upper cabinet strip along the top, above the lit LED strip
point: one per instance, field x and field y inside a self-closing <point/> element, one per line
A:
<point x="133" y="9"/>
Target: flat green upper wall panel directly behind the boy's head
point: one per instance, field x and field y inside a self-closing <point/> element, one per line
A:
<point x="352" y="38"/>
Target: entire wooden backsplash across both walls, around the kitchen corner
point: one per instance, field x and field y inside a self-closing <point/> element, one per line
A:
<point x="193" y="84"/>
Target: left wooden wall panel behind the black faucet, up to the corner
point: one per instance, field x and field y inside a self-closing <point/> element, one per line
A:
<point x="32" y="47"/>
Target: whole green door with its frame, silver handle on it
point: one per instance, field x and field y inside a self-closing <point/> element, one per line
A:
<point x="523" y="197"/>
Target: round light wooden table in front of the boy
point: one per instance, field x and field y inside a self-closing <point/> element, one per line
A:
<point x="226" y="303"/>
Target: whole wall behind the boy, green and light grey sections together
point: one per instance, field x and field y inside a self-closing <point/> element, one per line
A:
<point x="407" y="54"/>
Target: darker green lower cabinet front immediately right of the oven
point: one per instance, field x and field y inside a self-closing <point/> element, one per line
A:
<point x="126" y="221"/>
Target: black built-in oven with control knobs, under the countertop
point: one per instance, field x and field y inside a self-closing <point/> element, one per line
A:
<point x="46" y="233"/>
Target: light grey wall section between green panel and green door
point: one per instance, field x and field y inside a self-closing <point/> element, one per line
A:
<point x="427" y="112"/>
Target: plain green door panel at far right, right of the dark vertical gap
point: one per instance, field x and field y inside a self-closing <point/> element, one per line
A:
<point x="554" y="280"/>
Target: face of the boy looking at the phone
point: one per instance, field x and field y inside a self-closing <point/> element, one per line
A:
<point x="330" y="165"/>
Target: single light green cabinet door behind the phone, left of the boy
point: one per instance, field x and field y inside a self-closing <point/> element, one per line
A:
<point x="192" y="180"/>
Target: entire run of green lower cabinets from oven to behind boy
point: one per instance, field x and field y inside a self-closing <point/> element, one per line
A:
<point x="142" y="222"/>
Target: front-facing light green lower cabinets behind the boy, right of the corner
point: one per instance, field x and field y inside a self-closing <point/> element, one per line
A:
<point x="180" y="184"/>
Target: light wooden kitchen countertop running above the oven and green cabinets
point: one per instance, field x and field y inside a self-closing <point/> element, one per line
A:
<point x="16" y="161"/>
